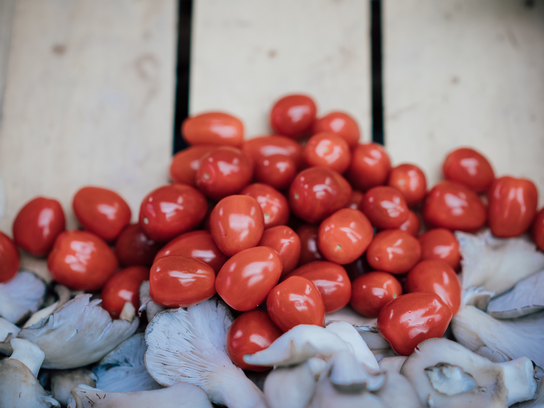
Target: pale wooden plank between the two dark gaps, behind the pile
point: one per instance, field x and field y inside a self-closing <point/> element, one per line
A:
<point x="246" y="54"/>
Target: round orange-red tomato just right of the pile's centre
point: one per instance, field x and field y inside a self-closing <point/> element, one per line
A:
<point x="344" y="236"/>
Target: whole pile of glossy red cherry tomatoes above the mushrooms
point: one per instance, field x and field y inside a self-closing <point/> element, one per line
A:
<point x="303" y="228"/>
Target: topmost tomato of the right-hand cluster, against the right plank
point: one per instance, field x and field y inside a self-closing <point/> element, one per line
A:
<point x="468" y="167"/>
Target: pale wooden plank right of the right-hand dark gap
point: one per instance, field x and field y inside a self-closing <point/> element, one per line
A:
<point x="465" y="73"/>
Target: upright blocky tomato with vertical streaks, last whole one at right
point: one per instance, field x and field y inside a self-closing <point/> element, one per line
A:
<point x="512" y="206"/>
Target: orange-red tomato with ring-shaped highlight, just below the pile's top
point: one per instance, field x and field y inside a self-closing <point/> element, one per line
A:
<point x="327" y="150"/>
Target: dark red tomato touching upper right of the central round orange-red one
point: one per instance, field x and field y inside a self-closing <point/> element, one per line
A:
<point x="385" y="207"/>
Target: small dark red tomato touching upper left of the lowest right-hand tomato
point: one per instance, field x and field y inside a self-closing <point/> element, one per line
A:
<point x="372" y="291"/>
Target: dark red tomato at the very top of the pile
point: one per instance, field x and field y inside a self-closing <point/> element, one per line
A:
<point x="293" y="116"/>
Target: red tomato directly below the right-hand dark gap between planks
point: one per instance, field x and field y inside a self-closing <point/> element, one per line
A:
<point x="370" y="166"/>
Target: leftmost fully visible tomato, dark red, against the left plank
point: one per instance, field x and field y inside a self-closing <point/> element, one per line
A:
<point x="38" y="224"/>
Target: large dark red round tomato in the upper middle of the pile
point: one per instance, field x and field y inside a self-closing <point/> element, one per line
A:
<point x="318" y="192"/>
